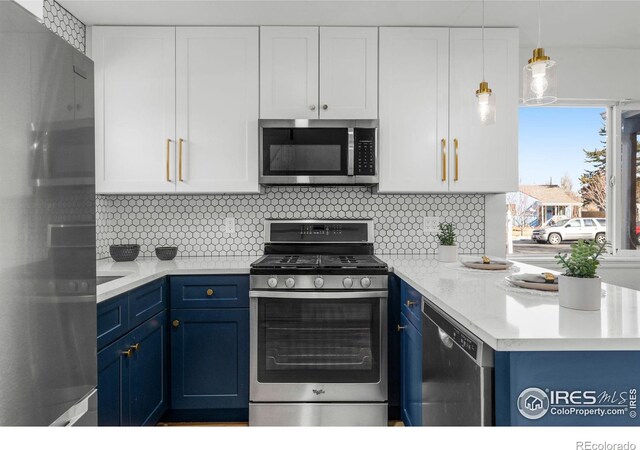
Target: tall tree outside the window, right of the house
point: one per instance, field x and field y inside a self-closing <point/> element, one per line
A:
<point x="593" y="182"/>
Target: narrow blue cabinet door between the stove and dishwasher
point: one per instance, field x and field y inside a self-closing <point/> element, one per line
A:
<point x="411" y="373"/>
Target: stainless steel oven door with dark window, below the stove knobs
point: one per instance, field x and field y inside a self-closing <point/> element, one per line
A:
<point x="318" y="346"/>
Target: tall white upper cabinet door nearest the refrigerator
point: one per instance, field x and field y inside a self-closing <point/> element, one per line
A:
<point x="135" y="109"/>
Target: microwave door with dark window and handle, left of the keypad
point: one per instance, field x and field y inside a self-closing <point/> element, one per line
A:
<point x="307" y="155"/>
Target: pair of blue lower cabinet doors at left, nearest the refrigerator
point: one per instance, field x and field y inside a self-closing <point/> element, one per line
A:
<point x="132" y="376"/>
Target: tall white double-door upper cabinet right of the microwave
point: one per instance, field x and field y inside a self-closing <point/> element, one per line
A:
<point x="430" y="135"/>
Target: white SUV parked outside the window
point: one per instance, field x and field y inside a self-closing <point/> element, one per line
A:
<point x="572" y="230"/>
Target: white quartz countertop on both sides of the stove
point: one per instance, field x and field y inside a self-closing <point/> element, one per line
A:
<point x="506" y="318"/>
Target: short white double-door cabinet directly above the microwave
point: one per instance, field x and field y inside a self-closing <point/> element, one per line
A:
<point x="340" y="81"/>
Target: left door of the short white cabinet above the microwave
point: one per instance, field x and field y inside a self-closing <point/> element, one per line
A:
<point x="289" y="72"/>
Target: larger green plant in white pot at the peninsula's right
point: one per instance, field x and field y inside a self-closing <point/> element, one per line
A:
<point x="580" y="287"/>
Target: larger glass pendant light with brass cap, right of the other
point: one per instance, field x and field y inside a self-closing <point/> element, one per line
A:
<point x="539" y="82"/>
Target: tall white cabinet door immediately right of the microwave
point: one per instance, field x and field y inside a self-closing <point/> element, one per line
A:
<point x="414" y="95"/>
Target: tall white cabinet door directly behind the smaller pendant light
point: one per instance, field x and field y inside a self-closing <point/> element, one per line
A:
<point x="487" y="159"/>
